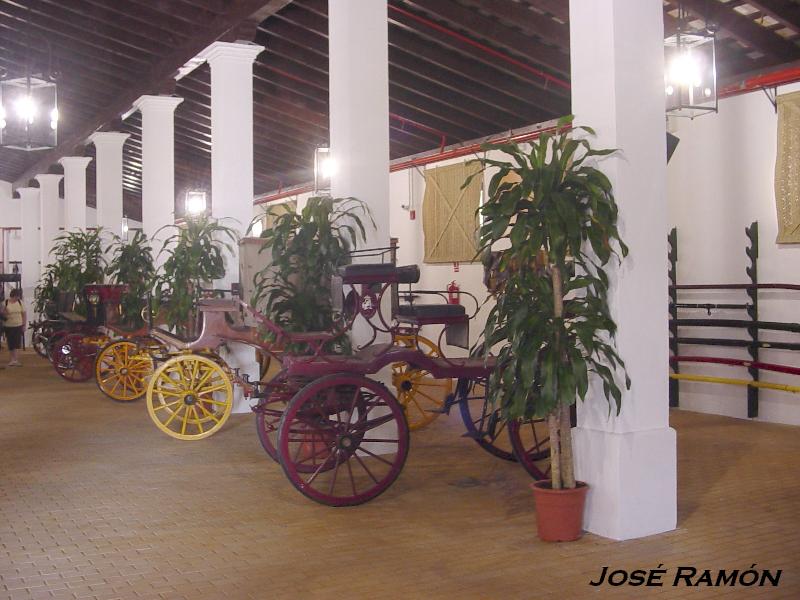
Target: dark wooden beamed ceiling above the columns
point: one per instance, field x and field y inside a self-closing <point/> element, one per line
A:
<point x="459" y="69"/>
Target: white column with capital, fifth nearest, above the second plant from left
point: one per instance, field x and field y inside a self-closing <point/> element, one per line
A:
<point x="109" y="179"/>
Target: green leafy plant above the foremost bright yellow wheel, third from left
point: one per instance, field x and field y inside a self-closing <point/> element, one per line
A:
<point x="194" y="258"/>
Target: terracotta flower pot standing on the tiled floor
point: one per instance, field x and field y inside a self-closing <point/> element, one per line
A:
<point x="559" y="513"/>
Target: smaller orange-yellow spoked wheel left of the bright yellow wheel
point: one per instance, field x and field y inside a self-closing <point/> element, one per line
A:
<point x="122" y="370"/>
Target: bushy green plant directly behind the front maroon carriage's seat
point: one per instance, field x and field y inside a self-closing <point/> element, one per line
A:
<point x="307" y="248"/>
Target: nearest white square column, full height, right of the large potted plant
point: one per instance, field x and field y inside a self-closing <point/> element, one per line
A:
<point x="629" y="461"/>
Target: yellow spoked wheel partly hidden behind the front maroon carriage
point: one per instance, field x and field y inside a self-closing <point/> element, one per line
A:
<point x="421" y="395"/>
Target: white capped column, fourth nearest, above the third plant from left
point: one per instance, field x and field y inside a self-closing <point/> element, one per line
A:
<point x="158" y="162"/>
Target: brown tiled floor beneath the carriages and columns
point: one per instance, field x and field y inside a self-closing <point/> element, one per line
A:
<point x="95" y="502"/>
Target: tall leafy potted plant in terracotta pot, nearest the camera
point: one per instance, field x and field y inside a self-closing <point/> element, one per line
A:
<point x="554" y="217"/>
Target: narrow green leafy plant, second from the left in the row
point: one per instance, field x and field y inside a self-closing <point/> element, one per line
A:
<point x="132" y="264"/>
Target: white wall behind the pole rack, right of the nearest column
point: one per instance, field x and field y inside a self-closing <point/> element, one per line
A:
<point x="719" y="180"/>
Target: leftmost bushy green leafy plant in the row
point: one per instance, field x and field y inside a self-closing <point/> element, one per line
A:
<point x="78" y="261"/>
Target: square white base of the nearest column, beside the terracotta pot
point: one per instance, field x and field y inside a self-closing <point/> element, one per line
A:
<point x="632" y="478"/>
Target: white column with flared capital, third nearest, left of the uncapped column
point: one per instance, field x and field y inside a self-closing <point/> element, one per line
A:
<point x="232" y="163"/>
